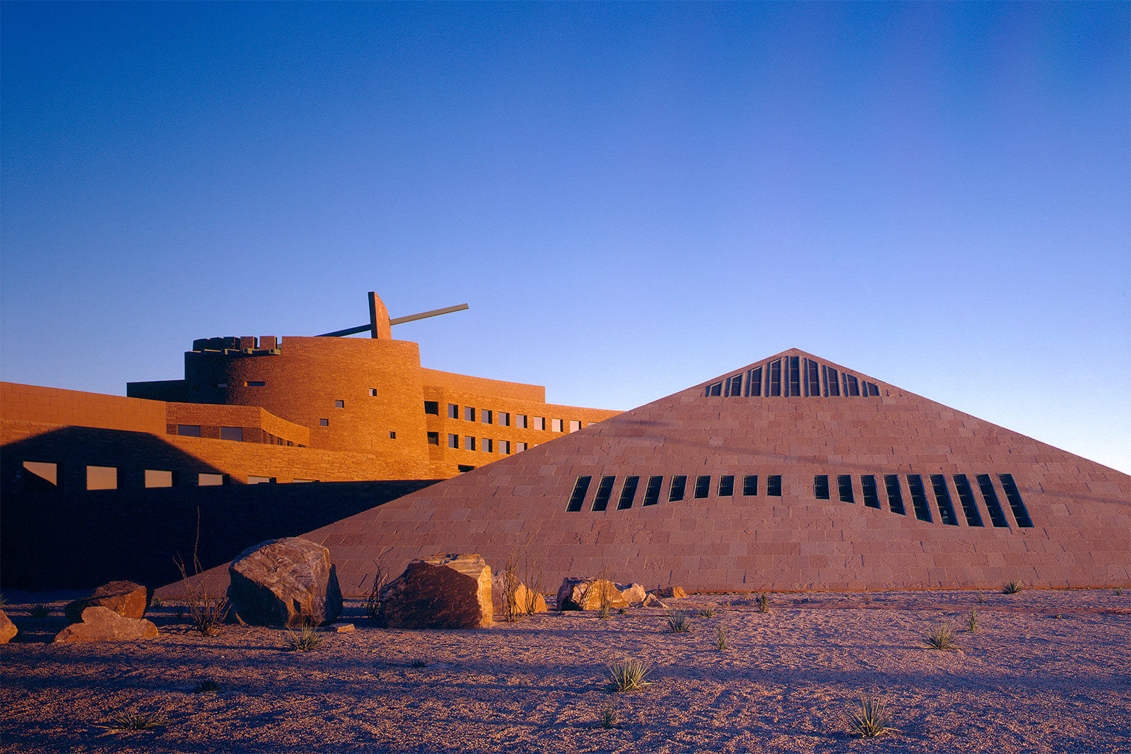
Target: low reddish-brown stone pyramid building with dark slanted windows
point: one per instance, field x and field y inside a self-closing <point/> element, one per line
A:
<point x="792" y="473"/>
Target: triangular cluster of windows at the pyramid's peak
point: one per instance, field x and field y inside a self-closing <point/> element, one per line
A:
<point x="793" y="377"/>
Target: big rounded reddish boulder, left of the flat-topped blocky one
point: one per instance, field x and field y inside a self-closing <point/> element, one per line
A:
<point x="284" y="583"/>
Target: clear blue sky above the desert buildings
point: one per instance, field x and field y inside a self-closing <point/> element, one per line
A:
<point x="633" y="198"/>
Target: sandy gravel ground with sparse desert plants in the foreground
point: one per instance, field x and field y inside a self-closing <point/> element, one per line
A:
<point x="1046" y="672"/>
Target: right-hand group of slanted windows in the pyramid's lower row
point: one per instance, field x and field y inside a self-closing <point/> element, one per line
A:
<point x="943" y="500"/>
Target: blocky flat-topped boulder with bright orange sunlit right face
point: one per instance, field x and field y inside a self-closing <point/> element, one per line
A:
<point x="446" y="592"/>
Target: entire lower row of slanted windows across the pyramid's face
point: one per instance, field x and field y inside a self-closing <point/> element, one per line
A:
<point x="681" y="487"/>
